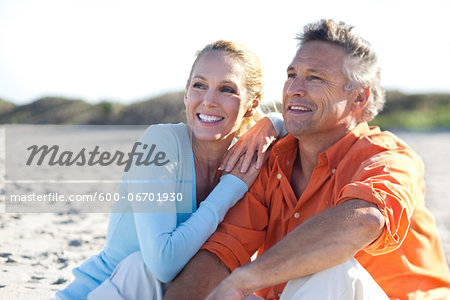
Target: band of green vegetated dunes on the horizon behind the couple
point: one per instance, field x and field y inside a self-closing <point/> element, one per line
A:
<point x="402" y="111"/>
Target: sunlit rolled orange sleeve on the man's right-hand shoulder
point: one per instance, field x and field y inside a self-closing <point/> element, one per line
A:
<point x="393" y="180"/>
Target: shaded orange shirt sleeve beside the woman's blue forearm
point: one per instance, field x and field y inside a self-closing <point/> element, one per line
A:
<point x="244" y="228"/>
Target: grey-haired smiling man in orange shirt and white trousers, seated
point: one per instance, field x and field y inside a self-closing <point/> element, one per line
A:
<point x="333" y="189"/>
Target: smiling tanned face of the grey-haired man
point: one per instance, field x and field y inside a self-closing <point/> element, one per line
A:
<point x="314" y="98"/>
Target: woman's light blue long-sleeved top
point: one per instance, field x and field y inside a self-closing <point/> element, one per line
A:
<point x="168" y="233"/>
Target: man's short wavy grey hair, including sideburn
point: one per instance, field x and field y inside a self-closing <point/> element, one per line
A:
<point x="361" y="65"/>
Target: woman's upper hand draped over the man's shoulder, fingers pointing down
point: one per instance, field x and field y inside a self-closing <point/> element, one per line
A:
<point x="253" y="143"/>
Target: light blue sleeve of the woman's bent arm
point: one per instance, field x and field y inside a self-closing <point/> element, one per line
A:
<point x="166" y="246"/>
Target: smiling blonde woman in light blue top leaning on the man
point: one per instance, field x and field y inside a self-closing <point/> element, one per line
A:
<point x="185" y="201"/>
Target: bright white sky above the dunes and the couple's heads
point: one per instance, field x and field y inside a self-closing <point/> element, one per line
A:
<point x="130" y="50"/>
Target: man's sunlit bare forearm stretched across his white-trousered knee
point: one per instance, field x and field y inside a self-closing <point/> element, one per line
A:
<point x="323" y="241"/>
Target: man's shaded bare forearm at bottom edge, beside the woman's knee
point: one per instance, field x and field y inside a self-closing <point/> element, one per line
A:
<point x="200" y="276"/>
